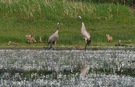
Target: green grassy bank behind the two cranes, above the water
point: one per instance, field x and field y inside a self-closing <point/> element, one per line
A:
<point x="39" y="18"/>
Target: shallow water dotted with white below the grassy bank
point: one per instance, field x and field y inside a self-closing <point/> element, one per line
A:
<point x="38" y="67"/>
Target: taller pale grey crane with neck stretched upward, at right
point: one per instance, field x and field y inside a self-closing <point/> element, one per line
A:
<point x="85" y="34"/>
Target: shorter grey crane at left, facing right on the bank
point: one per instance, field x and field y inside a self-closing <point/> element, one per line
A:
<point x="54" y="37"/>
